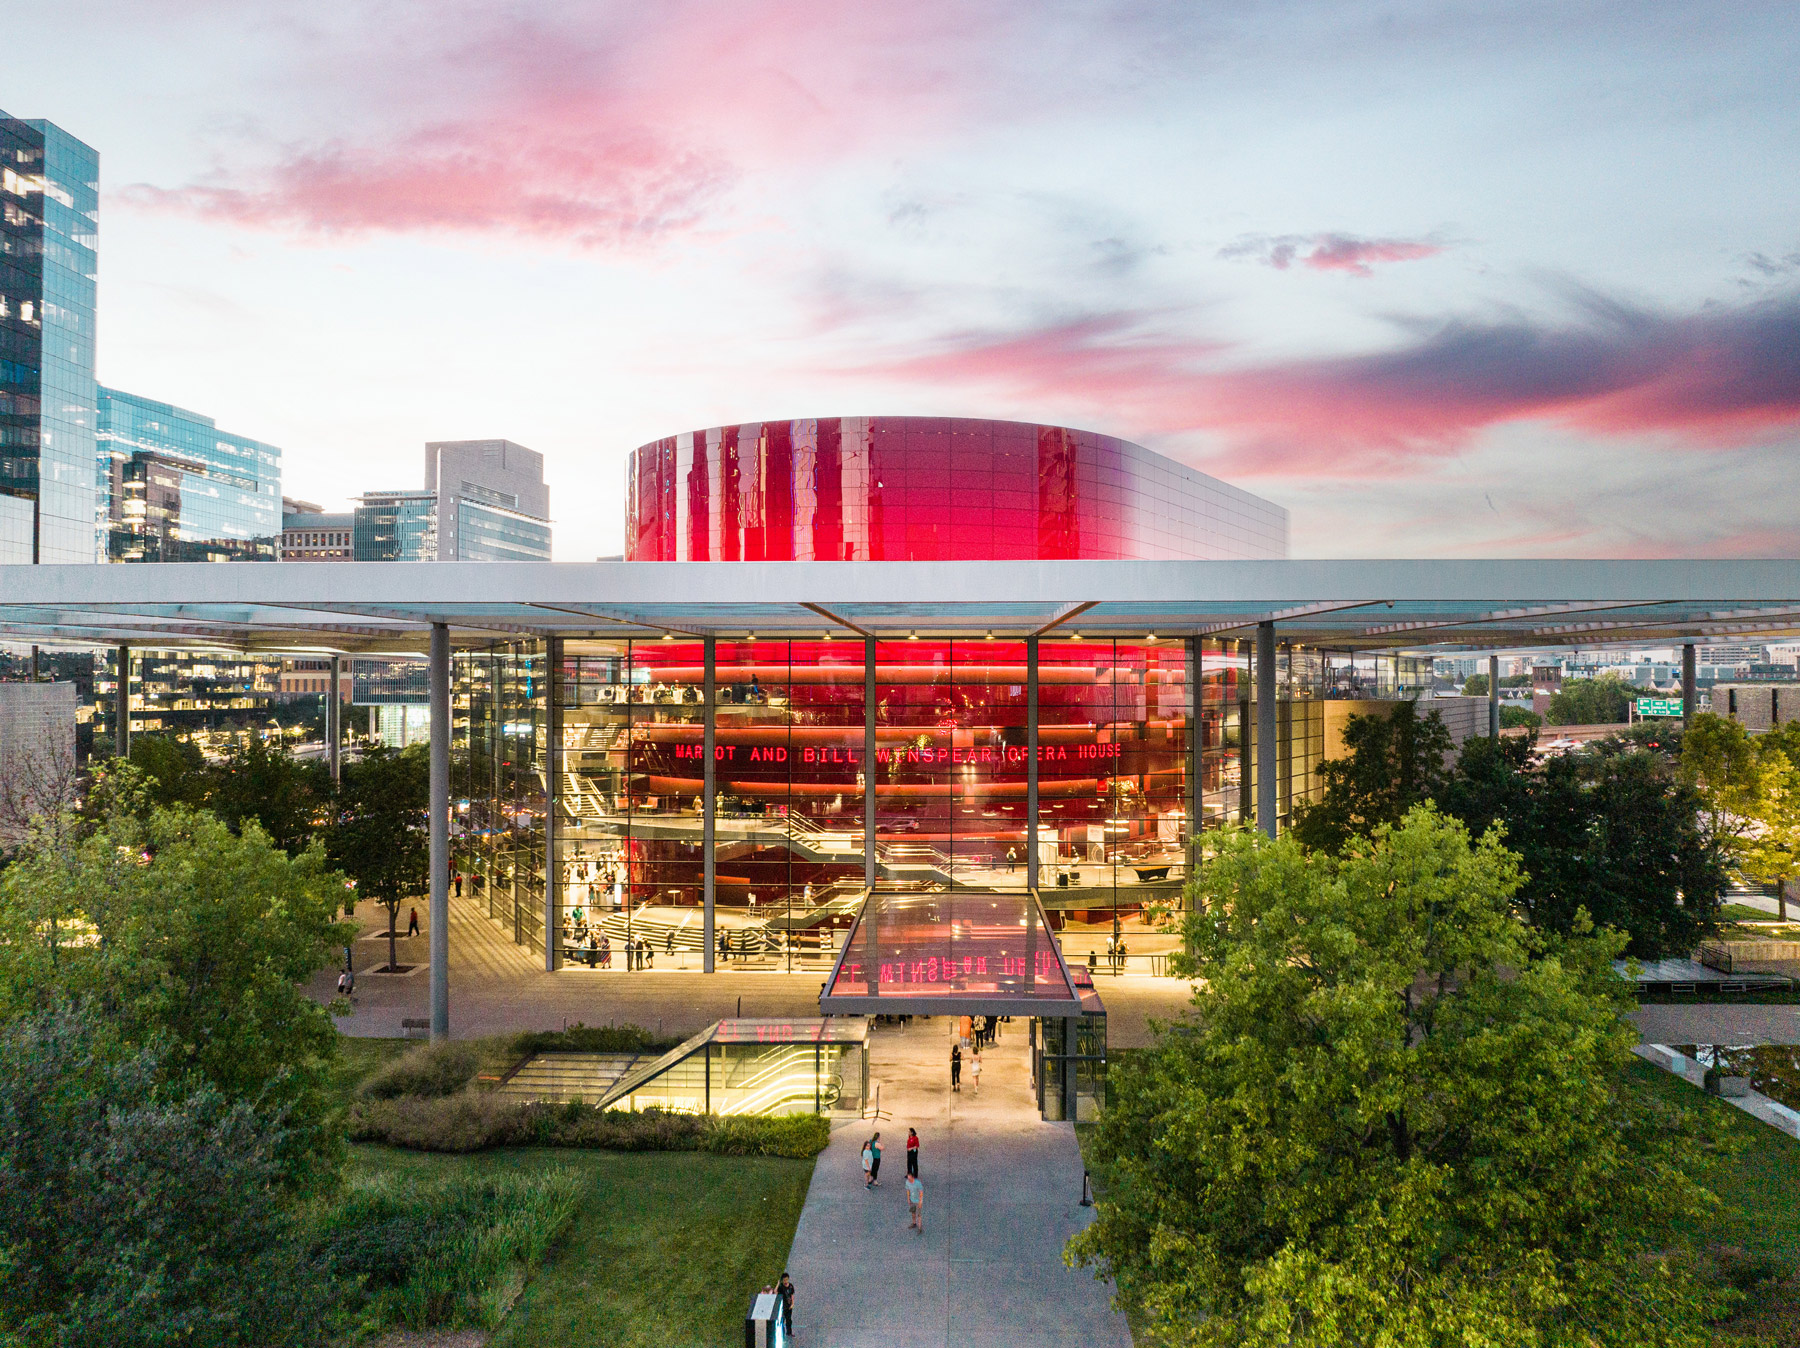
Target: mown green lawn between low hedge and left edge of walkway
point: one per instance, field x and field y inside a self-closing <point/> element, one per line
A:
<point x="663" y="1250"/>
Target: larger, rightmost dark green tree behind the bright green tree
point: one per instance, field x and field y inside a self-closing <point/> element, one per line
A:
<point x="1608" y="838"/>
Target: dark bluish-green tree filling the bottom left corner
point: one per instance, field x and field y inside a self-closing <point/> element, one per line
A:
<point x="138" y="1209"/>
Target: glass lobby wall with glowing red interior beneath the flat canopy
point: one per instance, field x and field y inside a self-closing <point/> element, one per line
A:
<point x="1138" y="741"/>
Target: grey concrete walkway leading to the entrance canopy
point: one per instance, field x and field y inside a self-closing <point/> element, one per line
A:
<point x="1002" y="1198"/>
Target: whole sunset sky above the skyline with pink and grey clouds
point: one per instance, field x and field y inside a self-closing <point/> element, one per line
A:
<point x="1444" y="280"/>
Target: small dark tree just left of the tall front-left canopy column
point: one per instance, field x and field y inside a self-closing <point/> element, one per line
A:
<point x="379" y="838"/>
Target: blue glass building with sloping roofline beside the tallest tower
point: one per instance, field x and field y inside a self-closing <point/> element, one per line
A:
<point x="183" y="490"/>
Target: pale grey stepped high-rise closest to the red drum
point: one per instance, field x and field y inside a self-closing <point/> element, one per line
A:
<point x="483" y="501"/>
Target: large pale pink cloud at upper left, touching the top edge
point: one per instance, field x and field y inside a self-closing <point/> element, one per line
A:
<point x="595" y="127"/>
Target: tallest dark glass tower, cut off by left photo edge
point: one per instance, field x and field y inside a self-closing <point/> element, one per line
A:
<point x="49" y="233"/>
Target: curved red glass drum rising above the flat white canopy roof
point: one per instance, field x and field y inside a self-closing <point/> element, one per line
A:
<point x="930" y="490"/>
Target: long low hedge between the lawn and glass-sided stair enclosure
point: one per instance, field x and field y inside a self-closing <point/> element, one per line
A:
<point x="474" y="1122"/>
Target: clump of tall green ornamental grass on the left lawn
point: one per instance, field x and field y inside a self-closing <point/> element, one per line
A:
<point x="444" y="1252"/>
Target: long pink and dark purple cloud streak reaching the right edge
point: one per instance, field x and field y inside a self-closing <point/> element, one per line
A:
<point x="1714" y="379"/>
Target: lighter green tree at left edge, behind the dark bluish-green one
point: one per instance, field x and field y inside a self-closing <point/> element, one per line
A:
<point x="199" y="944"/>
